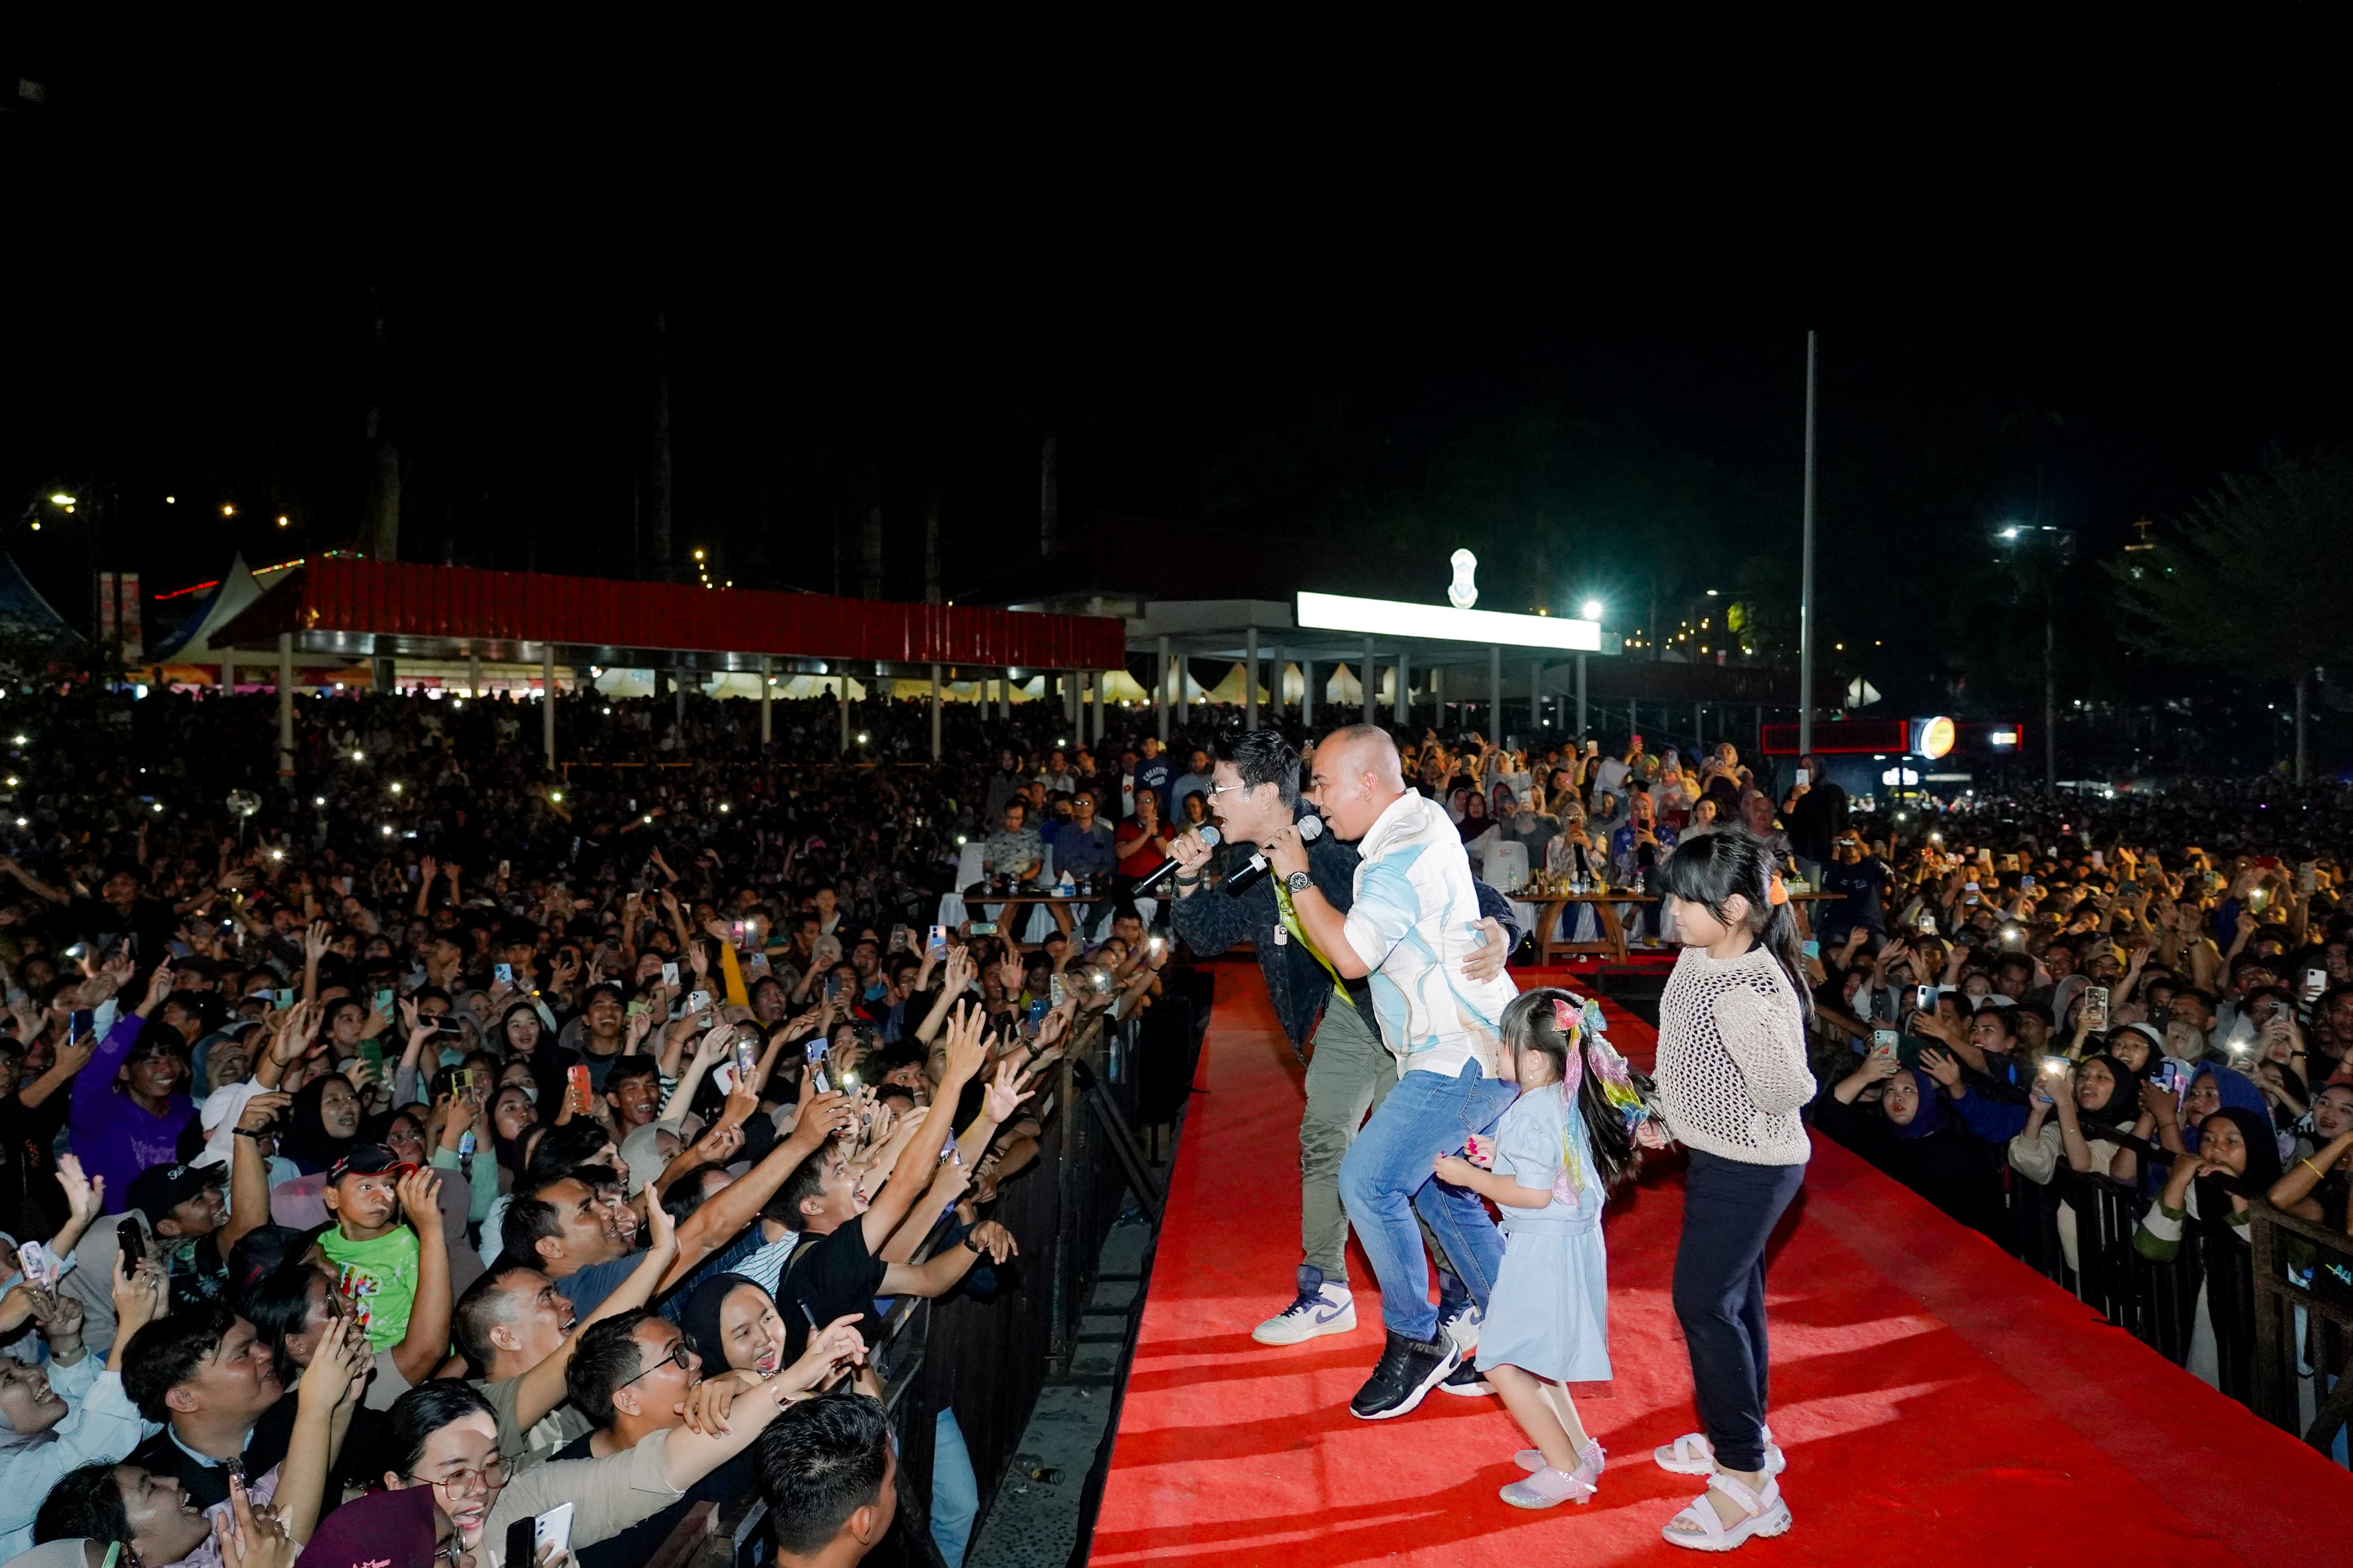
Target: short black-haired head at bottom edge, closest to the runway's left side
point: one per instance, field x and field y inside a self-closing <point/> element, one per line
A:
<point x="829" y="1480"/>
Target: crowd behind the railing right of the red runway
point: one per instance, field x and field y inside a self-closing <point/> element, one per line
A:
<point x="2032" y="1007"/>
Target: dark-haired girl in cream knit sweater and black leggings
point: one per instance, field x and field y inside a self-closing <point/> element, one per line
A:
<point x="1733" y="1078"/>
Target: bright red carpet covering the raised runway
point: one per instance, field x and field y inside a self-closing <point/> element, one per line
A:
<point x="1940" y="1402"/>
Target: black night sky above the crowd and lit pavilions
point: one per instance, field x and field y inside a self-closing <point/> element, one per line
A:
<point x="1573" y="342"/>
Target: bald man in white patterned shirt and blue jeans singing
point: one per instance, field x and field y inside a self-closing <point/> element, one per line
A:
<point x="1411" y="927"/>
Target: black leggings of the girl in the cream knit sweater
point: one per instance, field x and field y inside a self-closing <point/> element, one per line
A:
<point x="1728" y="1214"/>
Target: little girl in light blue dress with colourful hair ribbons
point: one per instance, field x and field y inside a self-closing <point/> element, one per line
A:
<point x="1559" y="1151"/>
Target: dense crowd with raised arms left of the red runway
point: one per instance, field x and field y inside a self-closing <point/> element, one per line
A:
<point x="432" y="1148"/>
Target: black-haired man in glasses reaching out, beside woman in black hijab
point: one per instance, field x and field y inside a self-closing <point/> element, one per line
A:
<point x="636" y="1374"/>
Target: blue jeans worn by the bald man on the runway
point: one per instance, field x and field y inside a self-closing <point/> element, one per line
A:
<point x="1387" y="1177"/>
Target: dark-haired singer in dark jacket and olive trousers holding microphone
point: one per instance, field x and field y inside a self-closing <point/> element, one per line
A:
<point x="1255" y="798"/>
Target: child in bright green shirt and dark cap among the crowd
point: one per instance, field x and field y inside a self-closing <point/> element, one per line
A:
<point x="387" y="1268"/>
